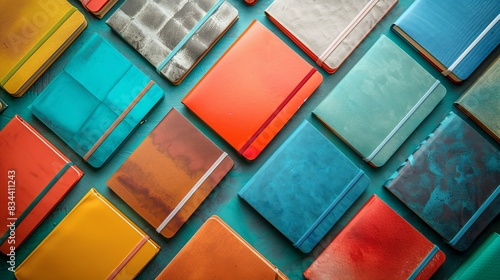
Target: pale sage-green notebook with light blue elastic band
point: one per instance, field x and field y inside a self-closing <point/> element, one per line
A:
<point x="380" y="102"/>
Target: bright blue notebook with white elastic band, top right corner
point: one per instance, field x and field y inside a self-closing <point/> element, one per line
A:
<point x="453" y="35"/>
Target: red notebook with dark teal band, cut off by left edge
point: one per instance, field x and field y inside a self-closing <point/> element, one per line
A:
<point x="36" y="178"/>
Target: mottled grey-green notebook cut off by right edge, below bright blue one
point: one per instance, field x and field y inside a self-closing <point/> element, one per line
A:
<point x="481" y="102"/>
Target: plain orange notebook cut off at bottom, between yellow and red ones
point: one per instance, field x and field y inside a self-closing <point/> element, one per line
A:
<point x="217" y="252"/>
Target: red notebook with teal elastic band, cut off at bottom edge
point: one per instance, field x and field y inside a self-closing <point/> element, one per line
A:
<point x="377" y="243"/>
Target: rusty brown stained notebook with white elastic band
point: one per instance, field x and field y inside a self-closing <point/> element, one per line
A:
<point x="170" y="174"/>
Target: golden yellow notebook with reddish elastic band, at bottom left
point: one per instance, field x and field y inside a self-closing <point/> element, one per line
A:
<point x="94" y="241"/>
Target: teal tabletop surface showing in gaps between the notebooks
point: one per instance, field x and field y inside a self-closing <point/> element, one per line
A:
<point x="224" y="201"/>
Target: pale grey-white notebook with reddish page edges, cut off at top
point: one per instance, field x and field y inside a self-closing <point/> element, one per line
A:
<point x="328" y="30"/>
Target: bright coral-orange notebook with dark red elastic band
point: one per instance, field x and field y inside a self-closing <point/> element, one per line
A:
<point x="253" y="90"/>
